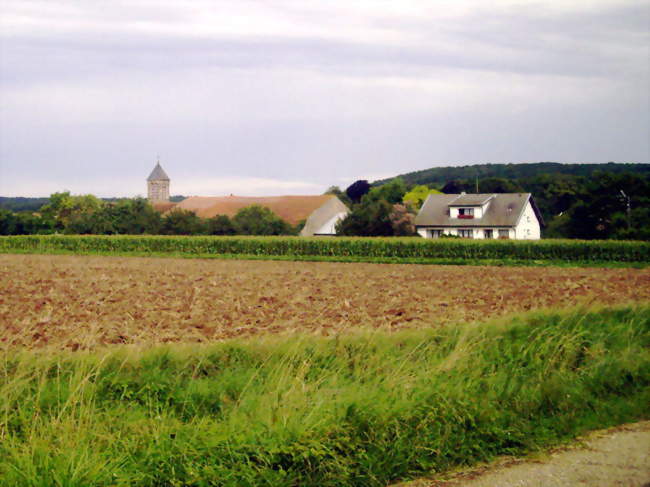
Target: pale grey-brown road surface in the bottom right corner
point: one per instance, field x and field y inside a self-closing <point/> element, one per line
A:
<point x="617" y="457"/>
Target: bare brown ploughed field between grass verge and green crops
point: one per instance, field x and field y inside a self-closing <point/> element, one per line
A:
<point x="84" y="302"/>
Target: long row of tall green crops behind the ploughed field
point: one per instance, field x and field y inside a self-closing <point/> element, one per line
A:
<point x="362" y="247"/>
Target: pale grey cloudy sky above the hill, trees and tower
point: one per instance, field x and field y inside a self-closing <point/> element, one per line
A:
<point x="268" y="97"/>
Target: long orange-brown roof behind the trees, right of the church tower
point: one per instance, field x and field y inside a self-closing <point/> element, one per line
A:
<point x="292" y="209"/>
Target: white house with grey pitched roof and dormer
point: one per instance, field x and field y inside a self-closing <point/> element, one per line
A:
<point x="502" y="215"/>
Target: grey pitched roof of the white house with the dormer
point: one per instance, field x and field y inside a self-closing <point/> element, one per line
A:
<point x="504" y="210"/>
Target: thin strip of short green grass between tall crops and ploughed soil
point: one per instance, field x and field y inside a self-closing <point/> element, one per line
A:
<point x="351" y="259"/>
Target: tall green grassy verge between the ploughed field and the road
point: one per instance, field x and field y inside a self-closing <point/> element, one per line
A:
<point x="358" y="410"/>
